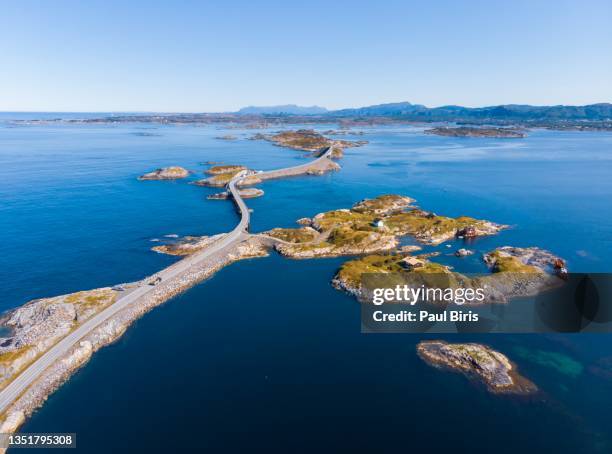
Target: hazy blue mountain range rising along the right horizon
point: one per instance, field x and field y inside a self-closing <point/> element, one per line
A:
<point x="408" y="111"/>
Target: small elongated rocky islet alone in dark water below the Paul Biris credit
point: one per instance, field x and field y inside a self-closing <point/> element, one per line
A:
<point x="477" y="361"/>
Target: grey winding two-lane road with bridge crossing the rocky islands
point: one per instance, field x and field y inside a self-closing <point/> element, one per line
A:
<point x="20" y="383"/>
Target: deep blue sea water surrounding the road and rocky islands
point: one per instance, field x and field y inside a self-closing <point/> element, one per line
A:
<point x="266" y="354"/>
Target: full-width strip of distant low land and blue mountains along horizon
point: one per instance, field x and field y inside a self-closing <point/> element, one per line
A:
<point x="592" y="117"/>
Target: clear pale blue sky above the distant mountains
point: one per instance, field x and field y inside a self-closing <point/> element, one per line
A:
<point x="181" y="56"/>
